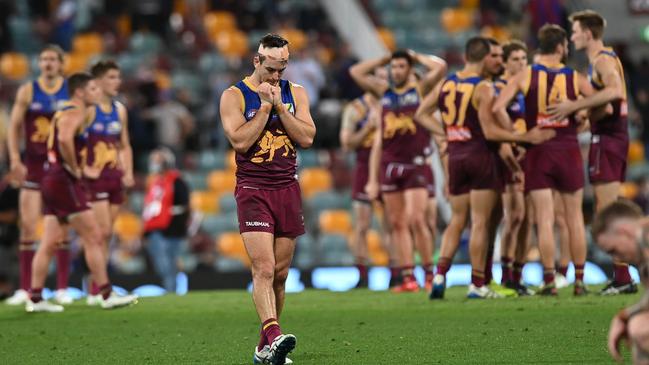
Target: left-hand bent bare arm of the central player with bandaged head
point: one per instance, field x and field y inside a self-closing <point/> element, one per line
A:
<point x="240" y="133"/>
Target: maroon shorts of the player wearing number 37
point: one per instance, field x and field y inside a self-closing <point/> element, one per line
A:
<point x="476" y="171"/>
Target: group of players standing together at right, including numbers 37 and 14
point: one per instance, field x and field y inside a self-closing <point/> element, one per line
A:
<point x="508" y="142"/>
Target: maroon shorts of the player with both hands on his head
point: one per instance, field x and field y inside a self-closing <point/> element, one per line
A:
<point x="396" y="177"/>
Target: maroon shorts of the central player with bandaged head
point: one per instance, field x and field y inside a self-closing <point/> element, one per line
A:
<point x="274" y="211"/>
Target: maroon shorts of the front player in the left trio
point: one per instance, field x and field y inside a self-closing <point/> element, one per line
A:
<point x="63" y="195"/>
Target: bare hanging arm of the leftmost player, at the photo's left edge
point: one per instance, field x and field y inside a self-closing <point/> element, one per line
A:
<point x="18" y="111"/>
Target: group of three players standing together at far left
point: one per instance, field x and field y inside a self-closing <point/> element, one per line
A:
<point x="77" y="161"/>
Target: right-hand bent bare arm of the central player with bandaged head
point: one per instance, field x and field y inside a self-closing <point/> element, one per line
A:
<point x="299" y="127"/>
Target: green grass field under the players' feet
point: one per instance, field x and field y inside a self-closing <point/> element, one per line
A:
<point x="359" y="327"/>
